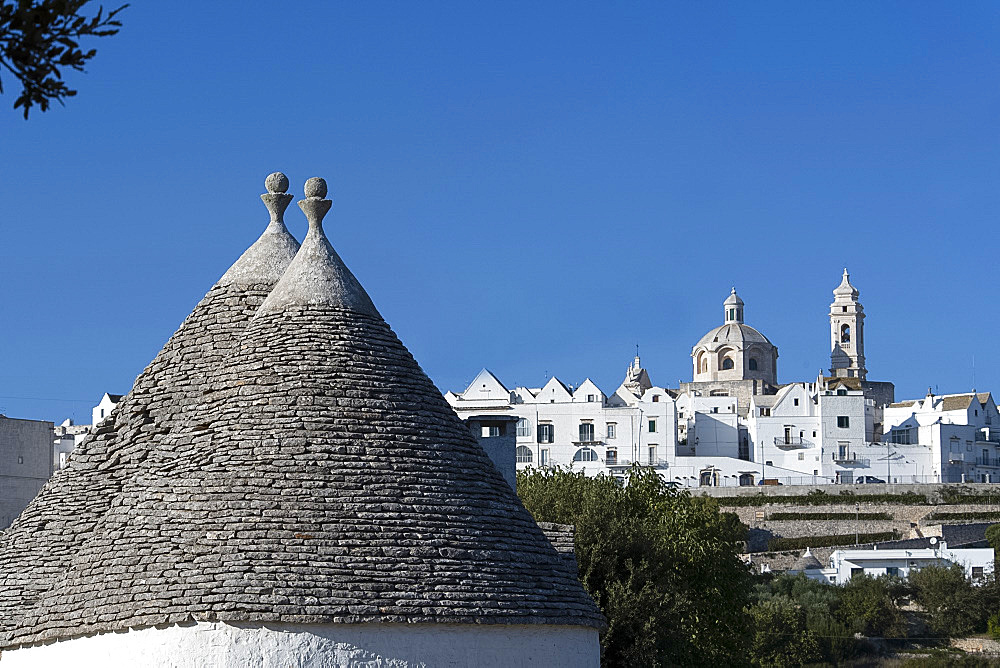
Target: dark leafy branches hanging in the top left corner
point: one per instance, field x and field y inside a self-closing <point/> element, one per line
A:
<point x="40" y="38"/>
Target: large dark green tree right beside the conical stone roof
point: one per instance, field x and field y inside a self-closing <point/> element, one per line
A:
<point x="662" y="565"/>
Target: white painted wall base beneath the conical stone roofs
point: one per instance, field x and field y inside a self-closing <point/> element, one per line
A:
<point x="320" y="646"/>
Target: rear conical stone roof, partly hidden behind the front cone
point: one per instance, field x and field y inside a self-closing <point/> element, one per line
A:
<point x="40" y="545"/>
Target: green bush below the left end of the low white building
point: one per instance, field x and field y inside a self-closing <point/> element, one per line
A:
<point x="867" y="606"/>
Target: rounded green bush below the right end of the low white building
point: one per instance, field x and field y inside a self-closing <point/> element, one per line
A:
<point x="952" y="604"/>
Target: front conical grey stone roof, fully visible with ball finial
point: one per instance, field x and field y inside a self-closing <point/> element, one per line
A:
<point x="323" y="479"/>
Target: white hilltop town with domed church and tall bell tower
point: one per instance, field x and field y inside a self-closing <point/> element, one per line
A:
<point x="735" y="424"/>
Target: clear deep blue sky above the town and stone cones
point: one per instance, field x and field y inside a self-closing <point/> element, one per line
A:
<point x="530" y="187"/>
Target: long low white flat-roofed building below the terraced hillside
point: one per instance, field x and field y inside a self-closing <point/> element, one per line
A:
<point x="845" y="564"/>
